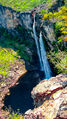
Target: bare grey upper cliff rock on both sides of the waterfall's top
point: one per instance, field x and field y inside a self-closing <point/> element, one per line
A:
<point x="10" y="19"/>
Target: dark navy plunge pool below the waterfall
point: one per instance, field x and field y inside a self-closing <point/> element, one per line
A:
<point x="20" y="95"/>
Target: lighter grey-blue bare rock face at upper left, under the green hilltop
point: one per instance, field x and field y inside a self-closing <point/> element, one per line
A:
<point x="10" y="19"/>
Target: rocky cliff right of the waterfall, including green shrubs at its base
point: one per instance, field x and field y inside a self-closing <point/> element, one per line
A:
<point x="51" y="37"/>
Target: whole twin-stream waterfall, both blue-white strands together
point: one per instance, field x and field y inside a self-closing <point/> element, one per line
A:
<point x="44" y="64"/>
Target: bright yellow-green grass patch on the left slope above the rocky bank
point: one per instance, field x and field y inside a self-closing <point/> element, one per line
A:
<point x="7" y="57"/>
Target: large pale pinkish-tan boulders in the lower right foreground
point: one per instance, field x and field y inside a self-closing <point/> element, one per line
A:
<point x="50" y="98"/>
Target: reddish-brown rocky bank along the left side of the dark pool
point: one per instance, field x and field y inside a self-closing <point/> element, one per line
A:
<point x="16" y="71"/>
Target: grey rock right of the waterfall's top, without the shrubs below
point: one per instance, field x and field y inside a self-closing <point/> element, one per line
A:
<point x="48" y="29"/>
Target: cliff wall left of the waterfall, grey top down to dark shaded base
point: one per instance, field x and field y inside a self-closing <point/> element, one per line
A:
<point x="19" y="25"/>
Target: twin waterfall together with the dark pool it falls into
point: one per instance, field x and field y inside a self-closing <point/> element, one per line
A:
<point x="22" y="92"/>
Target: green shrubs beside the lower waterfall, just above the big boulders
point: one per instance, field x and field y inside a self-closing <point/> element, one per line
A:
<point x="58" y="61"/>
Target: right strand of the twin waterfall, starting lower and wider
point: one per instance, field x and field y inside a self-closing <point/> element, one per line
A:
<point x="45" y="63"/>
